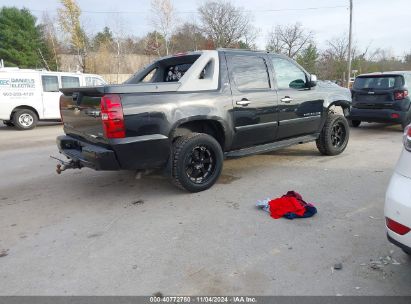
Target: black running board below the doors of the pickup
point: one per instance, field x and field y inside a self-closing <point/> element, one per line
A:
<point x="271" y="146"/>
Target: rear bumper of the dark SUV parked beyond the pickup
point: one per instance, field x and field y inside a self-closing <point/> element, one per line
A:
<point x="378" y="115"/>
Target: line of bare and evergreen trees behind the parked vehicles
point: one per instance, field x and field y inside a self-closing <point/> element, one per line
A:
<point x="28" y="43"/>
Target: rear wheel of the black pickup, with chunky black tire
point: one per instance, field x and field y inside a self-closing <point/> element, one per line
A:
<point x="197" y="161"/>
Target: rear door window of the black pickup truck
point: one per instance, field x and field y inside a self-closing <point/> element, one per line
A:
<point x="249" y="73"/>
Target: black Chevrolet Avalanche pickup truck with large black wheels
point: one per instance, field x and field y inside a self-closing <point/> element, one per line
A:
<point x="186" y="113"/>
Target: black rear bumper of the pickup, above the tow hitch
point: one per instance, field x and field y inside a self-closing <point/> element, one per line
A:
<point x="141" y="152"/>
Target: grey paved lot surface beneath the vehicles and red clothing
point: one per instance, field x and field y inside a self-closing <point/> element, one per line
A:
<point x="108" y="233"/>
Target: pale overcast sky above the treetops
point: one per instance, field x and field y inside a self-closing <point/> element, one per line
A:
<point x="378" y="23"/>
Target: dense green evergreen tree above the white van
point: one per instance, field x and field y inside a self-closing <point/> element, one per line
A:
<point x="21" y="40"/>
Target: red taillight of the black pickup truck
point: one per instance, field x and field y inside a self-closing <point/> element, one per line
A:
<point x="112" y="116"/>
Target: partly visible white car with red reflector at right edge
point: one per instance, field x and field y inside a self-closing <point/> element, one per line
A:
<point x="398" y="199"/>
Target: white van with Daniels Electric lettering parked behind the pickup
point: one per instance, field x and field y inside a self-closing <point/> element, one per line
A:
<point x="27" y="96"/>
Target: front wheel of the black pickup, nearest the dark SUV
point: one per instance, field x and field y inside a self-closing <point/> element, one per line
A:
<point x="334" y="136"/>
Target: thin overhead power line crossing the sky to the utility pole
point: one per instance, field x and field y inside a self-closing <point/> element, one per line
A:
<point x="195" y="12"/>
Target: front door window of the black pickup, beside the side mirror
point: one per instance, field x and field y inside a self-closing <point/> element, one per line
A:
<point x="288" y="75"/>
